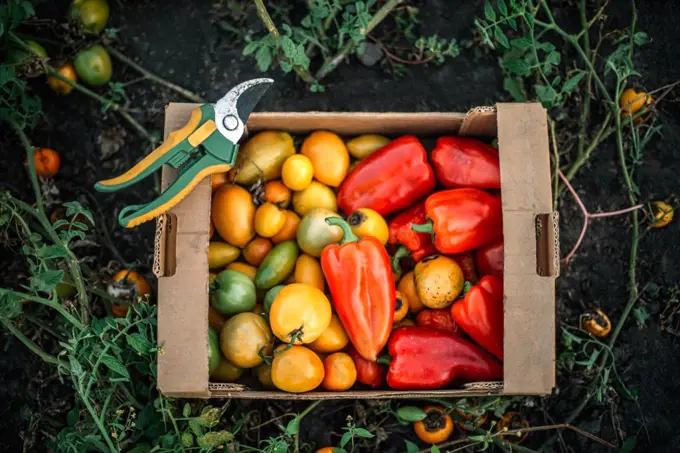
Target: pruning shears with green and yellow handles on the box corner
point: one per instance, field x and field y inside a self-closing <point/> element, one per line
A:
<point x="207" y="144"/>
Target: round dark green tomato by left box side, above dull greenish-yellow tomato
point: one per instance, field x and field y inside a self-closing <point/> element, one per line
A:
<point x="233" y="292"/>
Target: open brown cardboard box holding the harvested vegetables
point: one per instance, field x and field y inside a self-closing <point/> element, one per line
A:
<point x="531" y="251"/>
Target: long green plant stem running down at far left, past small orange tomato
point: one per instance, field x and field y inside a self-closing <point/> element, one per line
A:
<point x="71" y="259"/>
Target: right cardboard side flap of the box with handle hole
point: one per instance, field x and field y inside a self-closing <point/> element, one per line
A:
<point x="529" y="365"/>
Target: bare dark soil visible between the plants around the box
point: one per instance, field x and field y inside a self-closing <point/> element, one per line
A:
<point x="177" y="40"/>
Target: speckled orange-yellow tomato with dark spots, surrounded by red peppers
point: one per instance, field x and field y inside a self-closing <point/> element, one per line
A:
<point x="439" y="281"/>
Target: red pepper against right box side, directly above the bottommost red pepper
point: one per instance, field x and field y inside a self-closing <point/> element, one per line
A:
<point x="480" y="314"/>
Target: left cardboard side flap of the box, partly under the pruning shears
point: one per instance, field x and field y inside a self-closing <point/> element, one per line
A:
<point x="183" y="312"/>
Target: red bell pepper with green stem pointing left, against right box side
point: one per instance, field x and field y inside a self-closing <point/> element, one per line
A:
<point x="462" y="219"/>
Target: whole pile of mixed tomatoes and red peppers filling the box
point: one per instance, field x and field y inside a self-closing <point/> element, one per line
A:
<point x="404" y="289"/>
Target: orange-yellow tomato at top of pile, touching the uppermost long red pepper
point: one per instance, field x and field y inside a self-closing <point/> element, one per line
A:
<point x="328" y="155"/>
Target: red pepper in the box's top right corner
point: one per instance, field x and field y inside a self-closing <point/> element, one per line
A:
<point x="466" y="162"/>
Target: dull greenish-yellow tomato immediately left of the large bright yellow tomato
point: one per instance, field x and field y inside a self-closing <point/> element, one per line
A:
<point x="242" y="338"/>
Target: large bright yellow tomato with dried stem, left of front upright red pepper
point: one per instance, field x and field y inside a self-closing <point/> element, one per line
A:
<point x="299" y="314"/>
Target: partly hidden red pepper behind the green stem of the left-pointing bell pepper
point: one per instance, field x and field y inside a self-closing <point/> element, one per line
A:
<point x="418" y="244"/>
